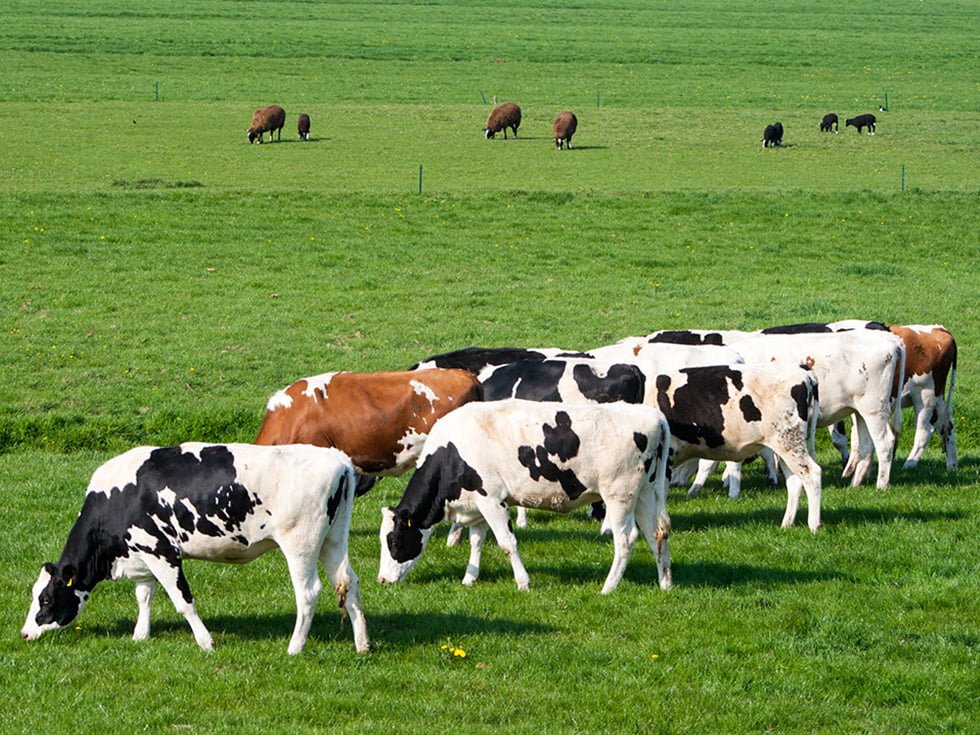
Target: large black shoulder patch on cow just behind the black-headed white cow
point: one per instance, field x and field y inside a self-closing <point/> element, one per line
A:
<point x="695" y="415"/>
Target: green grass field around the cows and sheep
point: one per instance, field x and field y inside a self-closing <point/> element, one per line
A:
<point x="159" y="278"/>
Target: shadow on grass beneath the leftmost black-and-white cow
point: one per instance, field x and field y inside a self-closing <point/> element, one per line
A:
<point x="396" y="630"/>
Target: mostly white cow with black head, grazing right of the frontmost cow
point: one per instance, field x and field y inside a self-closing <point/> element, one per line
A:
<point x="486" y="456"/>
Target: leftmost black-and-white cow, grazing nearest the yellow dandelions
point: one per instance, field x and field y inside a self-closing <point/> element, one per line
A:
<point x="147" y="509"/>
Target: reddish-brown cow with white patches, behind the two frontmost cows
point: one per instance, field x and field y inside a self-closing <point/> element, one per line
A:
<point x="379" y="419"/>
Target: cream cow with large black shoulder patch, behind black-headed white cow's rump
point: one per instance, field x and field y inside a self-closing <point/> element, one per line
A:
<point x="730" y="412"/>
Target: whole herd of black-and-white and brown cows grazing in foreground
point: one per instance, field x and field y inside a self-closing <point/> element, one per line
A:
<point x="489" y="428"/>
